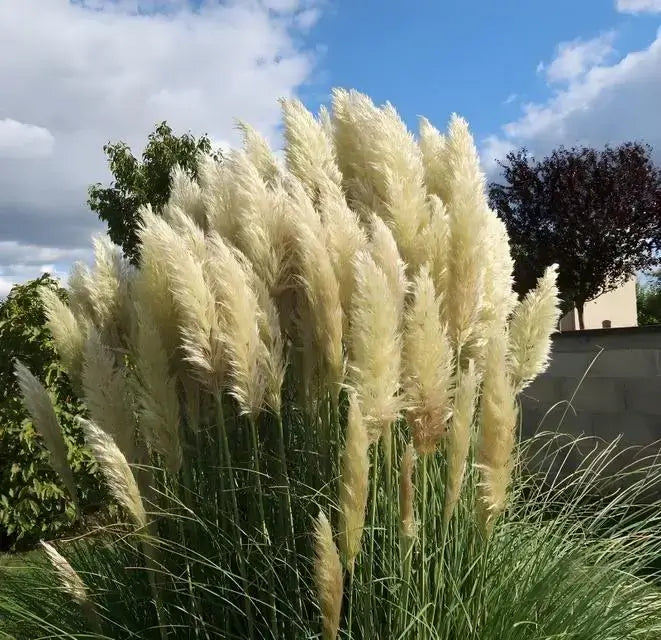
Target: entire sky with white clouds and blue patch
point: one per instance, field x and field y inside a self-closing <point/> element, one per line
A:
<point x="75" y="74"/>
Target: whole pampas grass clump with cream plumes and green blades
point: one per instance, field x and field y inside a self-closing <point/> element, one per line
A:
<point x="305" y="401"/>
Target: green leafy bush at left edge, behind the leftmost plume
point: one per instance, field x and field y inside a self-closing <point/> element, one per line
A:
<point x="33" y="502"/>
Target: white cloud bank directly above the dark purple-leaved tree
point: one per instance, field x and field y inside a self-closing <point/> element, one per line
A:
<point x="605" y="104"/>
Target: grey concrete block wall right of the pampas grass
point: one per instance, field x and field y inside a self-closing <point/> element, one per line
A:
<point x="619" y="395"/>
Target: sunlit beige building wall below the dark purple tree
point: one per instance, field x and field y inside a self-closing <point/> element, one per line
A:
<point x="617" y="307"/>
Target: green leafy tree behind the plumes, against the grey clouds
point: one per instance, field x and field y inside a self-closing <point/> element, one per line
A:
<point x="139" y="182"/>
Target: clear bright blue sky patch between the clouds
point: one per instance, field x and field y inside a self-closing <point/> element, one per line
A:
<point x="459" y="55"/>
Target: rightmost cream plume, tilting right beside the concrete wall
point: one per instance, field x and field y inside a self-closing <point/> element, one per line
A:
<point x="534" y="320"/>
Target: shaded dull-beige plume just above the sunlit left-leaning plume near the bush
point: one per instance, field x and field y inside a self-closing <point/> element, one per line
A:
<point x="107" y="394"/>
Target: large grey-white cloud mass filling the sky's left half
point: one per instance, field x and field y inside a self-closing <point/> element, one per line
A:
<point x="78" y="73"/>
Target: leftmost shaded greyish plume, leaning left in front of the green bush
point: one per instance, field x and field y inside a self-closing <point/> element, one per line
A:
<point x="40" y="407"/>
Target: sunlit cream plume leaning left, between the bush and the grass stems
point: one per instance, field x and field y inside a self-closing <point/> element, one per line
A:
<point x="116" y="470"/>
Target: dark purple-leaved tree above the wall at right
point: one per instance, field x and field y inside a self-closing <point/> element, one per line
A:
<point x="596" y="213"/>
